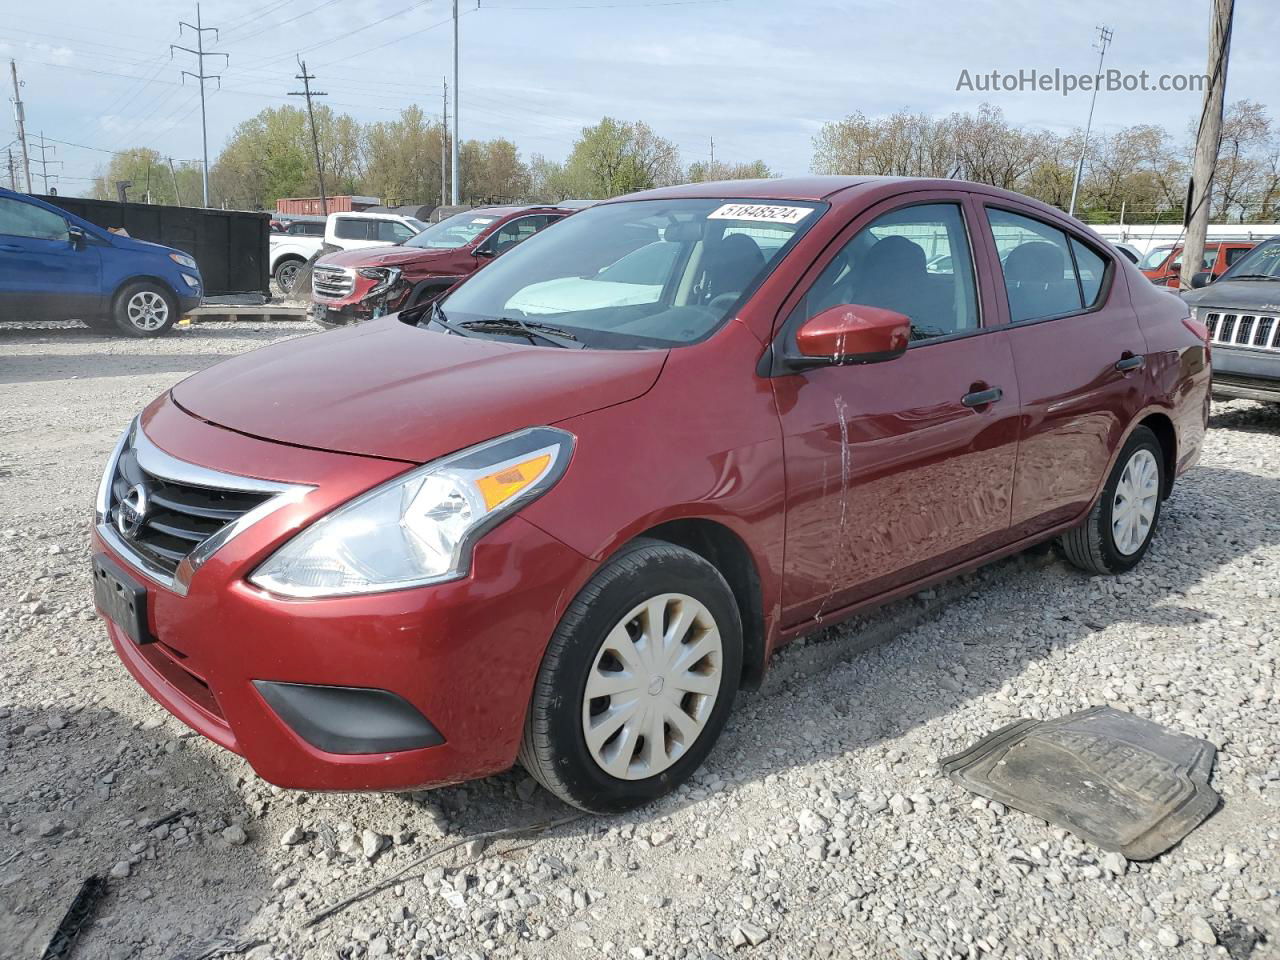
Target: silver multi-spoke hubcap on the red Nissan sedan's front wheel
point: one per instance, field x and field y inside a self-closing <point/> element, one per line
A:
<point x="653" y="687"/>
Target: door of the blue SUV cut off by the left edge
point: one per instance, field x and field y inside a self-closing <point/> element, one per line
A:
<point x="43" y="275"/>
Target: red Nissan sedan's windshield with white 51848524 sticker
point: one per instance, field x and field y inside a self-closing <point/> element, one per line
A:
<point x="655" y="273"/>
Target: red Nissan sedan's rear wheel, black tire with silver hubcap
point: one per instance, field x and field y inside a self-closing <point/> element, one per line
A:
<point x="1098" y="546"/>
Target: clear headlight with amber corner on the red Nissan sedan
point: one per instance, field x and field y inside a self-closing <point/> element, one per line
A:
<point x="419" y="528"/>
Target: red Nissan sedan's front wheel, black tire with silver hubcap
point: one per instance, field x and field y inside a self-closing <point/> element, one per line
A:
<point x="682" y="588"/>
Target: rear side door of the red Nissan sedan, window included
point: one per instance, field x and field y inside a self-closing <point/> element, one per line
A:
<point x="1080" y="355"/>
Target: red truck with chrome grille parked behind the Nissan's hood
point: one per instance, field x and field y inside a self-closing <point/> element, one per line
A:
<point x="360" y="285"/>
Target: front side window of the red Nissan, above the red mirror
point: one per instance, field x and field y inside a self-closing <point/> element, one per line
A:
<point x="916" y="262"/>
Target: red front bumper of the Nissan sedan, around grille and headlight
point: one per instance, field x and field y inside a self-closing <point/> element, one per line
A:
<point x="461" y="656"/>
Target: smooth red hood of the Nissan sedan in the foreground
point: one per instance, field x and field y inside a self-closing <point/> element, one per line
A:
<point x="388" y="390"/>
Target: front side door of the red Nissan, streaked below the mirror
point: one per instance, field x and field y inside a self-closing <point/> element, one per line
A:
<point x="902" y="469"/>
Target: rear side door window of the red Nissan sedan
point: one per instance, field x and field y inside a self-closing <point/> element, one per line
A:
<point x="1039" y="263"/>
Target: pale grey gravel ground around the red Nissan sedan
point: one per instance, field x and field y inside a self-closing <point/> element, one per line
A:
<point x="819" y="829"/>
